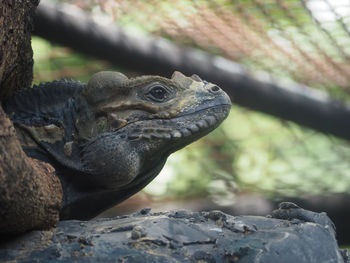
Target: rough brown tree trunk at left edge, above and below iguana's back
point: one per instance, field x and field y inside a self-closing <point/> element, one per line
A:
<point x="30" y="194"/>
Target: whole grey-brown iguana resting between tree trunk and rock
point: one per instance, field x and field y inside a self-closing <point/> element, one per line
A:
<point x="109" y="138"/>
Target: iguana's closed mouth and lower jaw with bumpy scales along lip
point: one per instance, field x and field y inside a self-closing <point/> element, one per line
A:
<point x="191" y="125"/>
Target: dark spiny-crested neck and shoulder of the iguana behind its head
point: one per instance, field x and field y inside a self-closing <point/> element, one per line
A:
<point x="44" y="117"/>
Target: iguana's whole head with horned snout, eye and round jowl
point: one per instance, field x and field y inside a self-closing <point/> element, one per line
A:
<point x="148" y="118"/>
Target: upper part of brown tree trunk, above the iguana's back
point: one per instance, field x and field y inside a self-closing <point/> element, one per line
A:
<point x="16" y="56"/>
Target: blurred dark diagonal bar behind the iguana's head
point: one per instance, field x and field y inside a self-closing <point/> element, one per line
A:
<point x="293" y="102"/>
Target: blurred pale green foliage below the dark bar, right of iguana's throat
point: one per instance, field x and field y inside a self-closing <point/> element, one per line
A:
<point x="253" y="152"/>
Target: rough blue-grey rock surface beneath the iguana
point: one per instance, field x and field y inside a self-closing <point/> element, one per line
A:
<point x="182" y="236"/>
